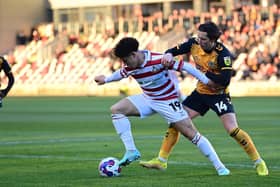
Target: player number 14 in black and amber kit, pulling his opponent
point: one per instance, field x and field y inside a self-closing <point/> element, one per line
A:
<point x="214" y="59"/>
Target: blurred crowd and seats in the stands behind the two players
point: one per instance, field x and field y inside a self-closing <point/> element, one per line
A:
<point x="60" y="56"/>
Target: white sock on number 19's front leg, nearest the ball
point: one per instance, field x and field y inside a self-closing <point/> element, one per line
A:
<point x="122" y="126"/>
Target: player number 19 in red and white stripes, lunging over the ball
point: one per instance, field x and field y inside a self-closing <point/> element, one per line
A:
<point x="160" y="95"/>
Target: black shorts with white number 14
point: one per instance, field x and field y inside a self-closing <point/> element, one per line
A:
<point x="201" y="103"/>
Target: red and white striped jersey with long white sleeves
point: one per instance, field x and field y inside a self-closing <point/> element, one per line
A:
<point x="154" y="78"/>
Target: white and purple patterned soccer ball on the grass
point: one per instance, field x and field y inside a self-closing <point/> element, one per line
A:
<point x="109" y="167"/>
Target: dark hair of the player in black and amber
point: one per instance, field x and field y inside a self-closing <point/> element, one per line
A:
<point x="212" y="30"/>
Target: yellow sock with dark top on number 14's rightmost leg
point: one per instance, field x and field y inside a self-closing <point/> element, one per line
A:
<point x="245" y="142"/>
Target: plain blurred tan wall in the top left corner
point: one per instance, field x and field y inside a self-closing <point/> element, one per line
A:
<point x="18" y="18"/>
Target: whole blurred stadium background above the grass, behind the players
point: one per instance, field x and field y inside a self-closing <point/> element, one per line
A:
<point x="57" y="47"/>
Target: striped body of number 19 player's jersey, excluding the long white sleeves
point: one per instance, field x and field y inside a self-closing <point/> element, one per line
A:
<point x="153" y="77"/>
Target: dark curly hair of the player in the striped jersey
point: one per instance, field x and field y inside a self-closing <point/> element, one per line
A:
<point x="125" y="47"/>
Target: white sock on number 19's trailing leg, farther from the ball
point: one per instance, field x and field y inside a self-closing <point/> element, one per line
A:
<point x="207" y="150"/>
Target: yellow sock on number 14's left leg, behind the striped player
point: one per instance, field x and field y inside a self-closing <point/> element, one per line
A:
<point x="170" y="139"/>
